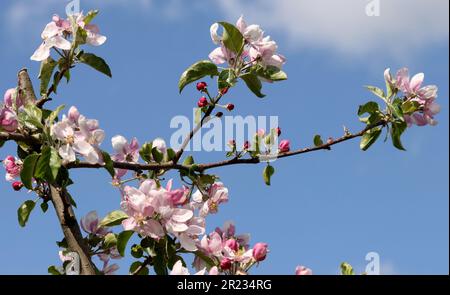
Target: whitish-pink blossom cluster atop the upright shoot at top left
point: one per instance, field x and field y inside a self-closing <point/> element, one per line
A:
<point x="58" y="33"/>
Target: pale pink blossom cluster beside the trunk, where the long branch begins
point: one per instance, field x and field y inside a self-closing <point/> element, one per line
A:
<point x="78" y="135"/>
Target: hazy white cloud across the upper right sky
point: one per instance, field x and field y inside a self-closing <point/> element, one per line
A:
<point x="343" y="26"/>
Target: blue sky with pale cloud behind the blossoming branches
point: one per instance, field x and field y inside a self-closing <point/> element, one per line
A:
<point x="322" y="208"/>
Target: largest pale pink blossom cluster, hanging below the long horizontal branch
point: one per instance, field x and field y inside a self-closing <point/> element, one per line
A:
<point x="155" y="211"/>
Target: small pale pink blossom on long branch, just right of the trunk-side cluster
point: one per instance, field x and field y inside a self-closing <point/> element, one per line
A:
<point x="125" y="152"/>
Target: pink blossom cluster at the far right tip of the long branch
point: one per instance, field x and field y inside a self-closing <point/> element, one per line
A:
<point x="413" y="91"/>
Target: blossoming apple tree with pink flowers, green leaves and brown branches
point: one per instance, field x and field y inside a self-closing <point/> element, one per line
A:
<point x="169" y="221"/>
